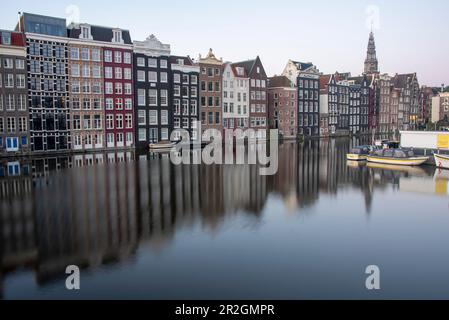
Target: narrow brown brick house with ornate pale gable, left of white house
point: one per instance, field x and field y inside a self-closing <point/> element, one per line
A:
<point x="211" y="94"/>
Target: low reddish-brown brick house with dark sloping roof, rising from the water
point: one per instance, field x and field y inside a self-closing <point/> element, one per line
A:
<point x="282" y="108"/>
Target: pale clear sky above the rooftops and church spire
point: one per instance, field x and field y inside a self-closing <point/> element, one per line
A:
<point x="411" y="35"/>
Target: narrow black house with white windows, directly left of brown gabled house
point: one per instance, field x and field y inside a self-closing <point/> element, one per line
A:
<point x="185" y="95"/>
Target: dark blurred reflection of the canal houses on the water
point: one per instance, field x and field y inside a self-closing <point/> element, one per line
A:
<point x="98" y="210"/>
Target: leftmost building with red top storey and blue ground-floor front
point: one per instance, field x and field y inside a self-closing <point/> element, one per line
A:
<point x="14" y="119"/>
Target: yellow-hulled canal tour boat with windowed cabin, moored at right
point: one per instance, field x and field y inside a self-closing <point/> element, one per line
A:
<point x="397" y="157"/>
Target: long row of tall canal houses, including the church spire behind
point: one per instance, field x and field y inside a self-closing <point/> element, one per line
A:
<point x="83" y="87"/>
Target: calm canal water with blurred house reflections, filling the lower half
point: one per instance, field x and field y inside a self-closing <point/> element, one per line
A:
<point x="139" y="227"/>
